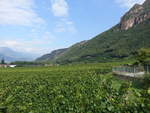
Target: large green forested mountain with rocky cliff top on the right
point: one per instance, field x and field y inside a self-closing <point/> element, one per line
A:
<point x="119" y="42"/>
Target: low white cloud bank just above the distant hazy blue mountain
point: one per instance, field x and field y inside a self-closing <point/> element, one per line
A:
<point x="36" y="46"/>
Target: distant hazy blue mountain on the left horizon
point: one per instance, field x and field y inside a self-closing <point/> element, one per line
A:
<point x="10" y="55"/>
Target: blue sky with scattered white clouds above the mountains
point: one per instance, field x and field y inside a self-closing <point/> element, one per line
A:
<point x="40" y="26"/>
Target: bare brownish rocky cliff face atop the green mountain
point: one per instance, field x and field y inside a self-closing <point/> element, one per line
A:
<point x="136" y="15"/>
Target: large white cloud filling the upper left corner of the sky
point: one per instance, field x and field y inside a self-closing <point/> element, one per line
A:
<point x="18" y="12"/>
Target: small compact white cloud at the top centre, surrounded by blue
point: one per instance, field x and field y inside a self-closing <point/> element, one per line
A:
<point x="60" y="8"/>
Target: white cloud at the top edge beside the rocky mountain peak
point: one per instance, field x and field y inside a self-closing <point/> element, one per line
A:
<point x="129" y="3"/>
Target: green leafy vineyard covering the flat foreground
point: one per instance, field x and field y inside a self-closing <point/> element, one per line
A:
<point x="69" y="89"/>
